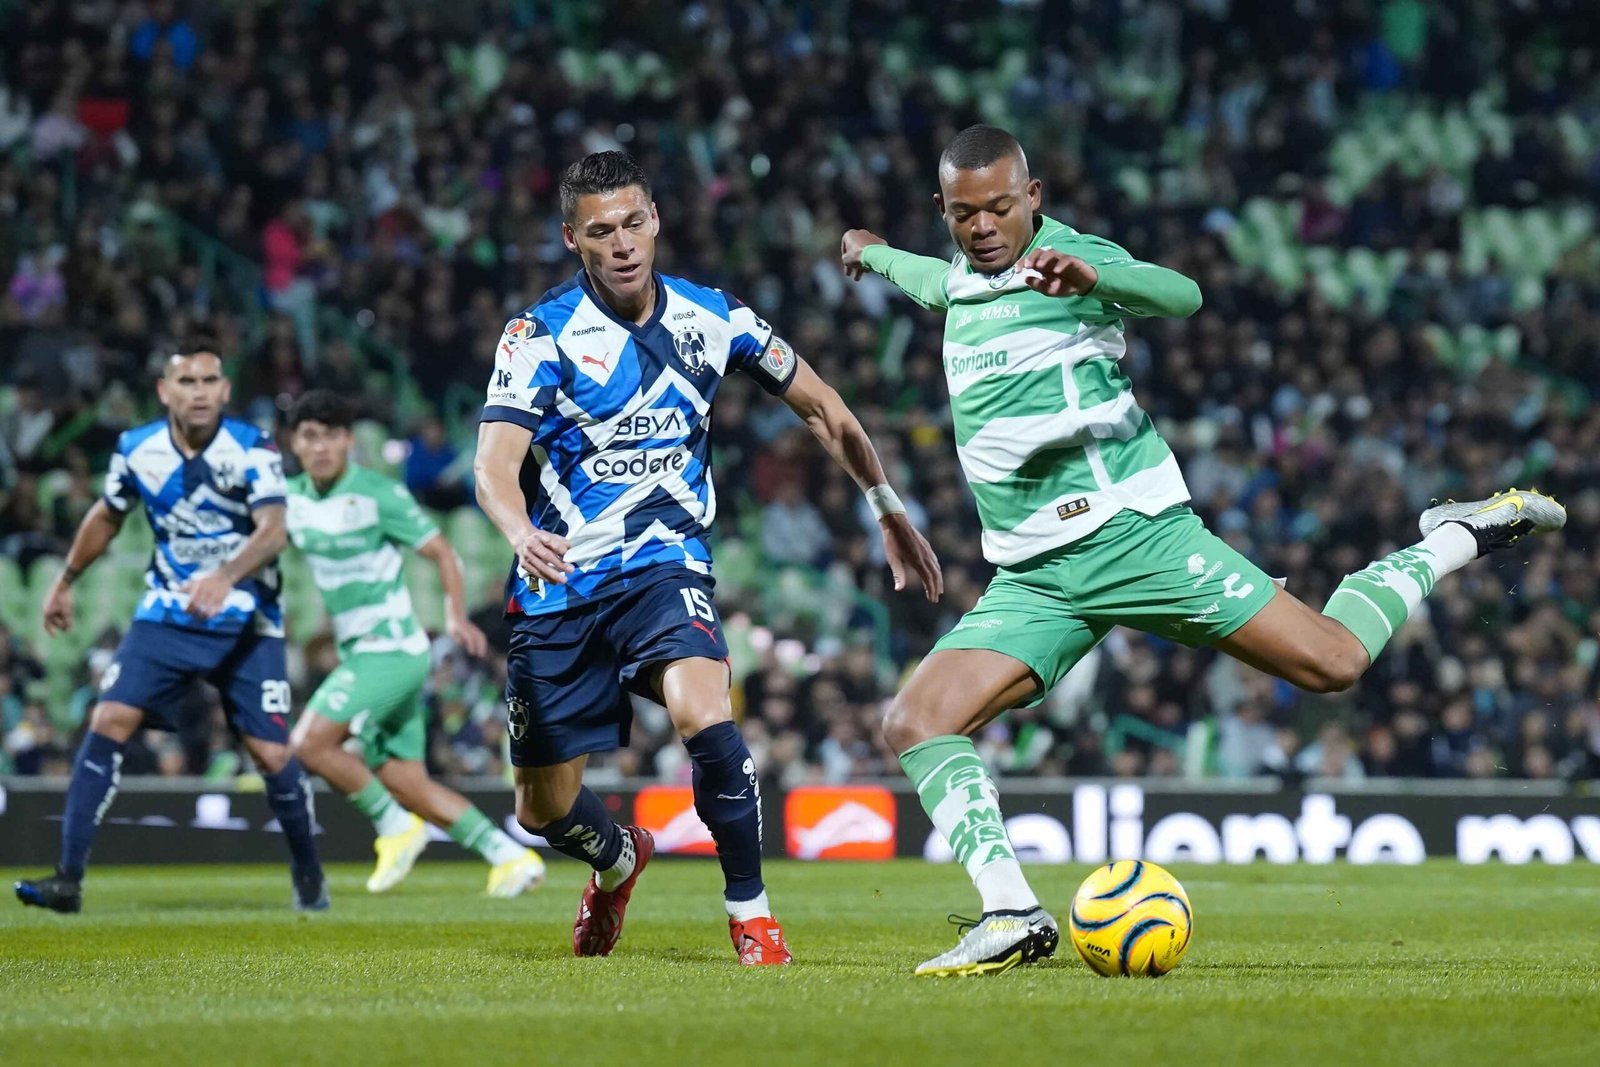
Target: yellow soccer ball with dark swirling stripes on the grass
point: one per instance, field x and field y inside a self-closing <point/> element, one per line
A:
<point x="1130" y="919"/>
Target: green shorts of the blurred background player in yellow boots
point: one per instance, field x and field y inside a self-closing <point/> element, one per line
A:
<point x="380" y="695"/>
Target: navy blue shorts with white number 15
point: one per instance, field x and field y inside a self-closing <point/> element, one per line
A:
<point x="569" y="674"/>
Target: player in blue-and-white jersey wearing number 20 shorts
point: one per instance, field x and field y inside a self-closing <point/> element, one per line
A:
<point x="214" y="492"/>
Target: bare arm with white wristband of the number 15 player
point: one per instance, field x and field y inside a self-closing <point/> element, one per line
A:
<point x="839" y="431"/>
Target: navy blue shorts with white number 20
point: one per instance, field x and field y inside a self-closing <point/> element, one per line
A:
<point x="156" y="665"/>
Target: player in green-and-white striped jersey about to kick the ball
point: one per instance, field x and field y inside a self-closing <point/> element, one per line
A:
<point x="1086" y="514"/>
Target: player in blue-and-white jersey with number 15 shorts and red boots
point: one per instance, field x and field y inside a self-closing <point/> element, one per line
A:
<point x="609" y="383"/>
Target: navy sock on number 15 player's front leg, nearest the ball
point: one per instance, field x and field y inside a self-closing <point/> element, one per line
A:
<point x="729" y="801"/>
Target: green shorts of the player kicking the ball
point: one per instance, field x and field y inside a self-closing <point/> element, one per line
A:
<point x="1166" y="575"/>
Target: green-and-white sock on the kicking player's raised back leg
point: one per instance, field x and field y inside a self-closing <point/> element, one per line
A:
<point x="1375" y="602"/>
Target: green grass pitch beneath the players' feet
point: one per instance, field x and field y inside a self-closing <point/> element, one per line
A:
<point x="1290" y="965"/>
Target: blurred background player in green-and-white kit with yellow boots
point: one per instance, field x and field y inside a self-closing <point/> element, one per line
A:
<point x="354" y="526"/>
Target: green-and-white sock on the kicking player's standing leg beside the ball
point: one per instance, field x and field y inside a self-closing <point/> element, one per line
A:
<point x="964" y="804"/>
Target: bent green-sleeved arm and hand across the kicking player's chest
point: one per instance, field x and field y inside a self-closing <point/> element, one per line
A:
<point x="1126" y="287"/>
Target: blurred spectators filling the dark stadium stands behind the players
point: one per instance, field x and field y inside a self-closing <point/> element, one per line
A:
<point x="396" y="166"/>
